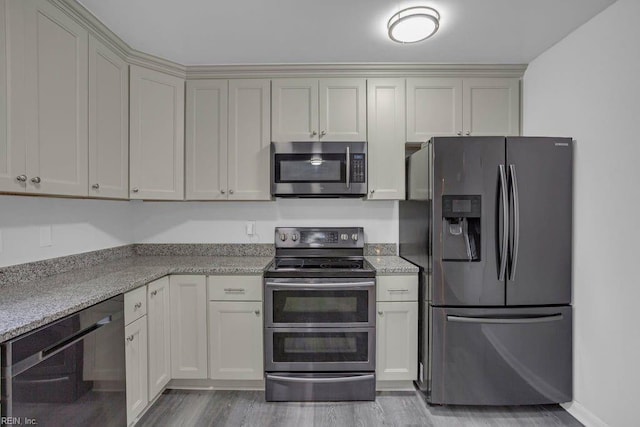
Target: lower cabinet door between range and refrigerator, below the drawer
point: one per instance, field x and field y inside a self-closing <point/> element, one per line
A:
<point x="397" y="341"/>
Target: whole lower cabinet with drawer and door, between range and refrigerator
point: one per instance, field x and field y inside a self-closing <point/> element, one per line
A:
<point x="397" y="330"/>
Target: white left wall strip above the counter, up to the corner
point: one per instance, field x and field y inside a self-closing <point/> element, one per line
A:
<point x="76" y="226"/>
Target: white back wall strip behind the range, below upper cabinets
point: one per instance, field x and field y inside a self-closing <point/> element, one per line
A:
<point x="224" y="222"/>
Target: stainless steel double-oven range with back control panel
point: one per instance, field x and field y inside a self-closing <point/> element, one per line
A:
<point x="320" y="317"/>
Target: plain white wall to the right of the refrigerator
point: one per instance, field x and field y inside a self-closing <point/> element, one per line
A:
<point x="588" y="87"/>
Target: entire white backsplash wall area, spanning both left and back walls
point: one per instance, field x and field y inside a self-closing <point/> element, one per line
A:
<point x="37" y="228"/>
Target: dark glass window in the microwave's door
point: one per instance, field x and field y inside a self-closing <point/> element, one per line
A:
<point x="310" y="168"/>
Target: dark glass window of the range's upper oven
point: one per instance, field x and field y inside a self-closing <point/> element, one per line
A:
<point x="318" y="306"/>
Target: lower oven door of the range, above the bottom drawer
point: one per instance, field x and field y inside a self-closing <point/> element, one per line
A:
<point x="320" y="349"/>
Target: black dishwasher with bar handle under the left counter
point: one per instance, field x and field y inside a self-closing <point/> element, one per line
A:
<point x="68" y="373"/>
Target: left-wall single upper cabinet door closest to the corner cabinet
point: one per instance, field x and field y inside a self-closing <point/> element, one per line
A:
<point x="108" y="123"/>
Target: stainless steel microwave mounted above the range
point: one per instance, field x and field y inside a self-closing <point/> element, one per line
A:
<point x="319" y="169"/>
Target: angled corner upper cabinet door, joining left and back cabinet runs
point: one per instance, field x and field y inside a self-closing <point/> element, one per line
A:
<point x="156" y="135"/>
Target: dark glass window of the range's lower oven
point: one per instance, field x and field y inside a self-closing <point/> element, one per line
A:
<point x="320" y="347"/>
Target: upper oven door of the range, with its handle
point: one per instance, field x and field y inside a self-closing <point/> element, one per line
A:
<point x="320" y="303"/>
